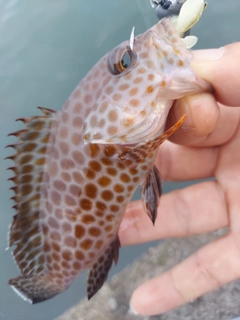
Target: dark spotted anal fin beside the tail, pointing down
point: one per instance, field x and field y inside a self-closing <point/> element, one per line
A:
<point x="99" y="272"/>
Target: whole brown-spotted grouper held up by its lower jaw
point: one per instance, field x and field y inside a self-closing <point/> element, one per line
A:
<point x="76" y="169"/>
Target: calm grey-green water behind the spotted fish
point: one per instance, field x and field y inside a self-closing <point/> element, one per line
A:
<point x="46" y="47"/>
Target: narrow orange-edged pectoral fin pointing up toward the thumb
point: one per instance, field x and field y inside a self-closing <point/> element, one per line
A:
<point x="140" y="152"/>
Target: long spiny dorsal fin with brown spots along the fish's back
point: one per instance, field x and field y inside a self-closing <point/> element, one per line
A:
<point x="30" y="159"/>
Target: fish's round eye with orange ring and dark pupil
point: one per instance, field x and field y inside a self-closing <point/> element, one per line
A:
<point x="120" y="60"/>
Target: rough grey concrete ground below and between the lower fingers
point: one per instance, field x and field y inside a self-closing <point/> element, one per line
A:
<point x="112" y="301"/>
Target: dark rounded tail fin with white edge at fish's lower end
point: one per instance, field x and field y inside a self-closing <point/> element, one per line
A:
<point x="37" y="289"/>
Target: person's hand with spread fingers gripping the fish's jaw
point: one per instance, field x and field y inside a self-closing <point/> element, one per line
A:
<point x="208" y="145"/>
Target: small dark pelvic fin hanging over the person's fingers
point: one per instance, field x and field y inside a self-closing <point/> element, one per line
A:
<point x="151" y="191"/>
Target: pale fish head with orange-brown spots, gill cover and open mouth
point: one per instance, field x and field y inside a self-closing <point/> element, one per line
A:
<point x="144" y="76"/>
